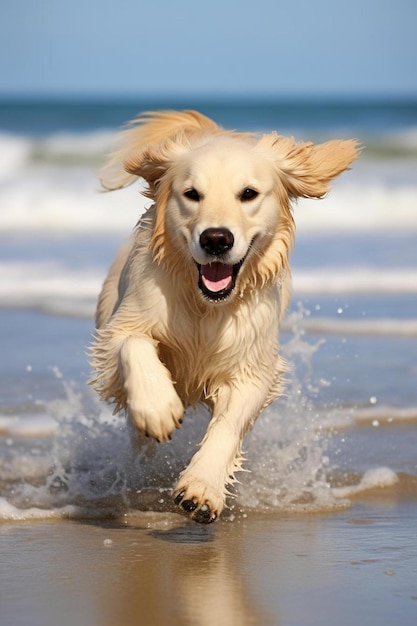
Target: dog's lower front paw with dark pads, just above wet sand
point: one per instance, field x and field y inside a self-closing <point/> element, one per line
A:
<point x="199" y="500"/>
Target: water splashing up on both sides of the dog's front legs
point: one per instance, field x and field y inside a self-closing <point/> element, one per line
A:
<point x="90" y="464"/>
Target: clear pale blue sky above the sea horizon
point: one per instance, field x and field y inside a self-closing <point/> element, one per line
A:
<point x="216" y="47"/>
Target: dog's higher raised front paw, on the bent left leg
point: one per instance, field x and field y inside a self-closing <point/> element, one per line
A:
<point x="157" y="416"/>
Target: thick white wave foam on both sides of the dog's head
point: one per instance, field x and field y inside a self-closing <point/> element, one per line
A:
<point x="73" y="202"/>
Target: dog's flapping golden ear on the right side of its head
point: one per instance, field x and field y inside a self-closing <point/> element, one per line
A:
<point x="305" y="169"/>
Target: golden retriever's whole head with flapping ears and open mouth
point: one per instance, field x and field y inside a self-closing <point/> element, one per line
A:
<point x="222" y="198"/>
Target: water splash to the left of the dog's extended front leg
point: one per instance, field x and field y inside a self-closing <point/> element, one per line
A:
<point x="89" y="463"/>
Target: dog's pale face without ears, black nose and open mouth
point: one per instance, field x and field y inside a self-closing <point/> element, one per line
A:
<point x="223" y="209"/>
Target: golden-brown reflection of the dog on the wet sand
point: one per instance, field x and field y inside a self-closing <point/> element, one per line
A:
<point x="183" y="575"/>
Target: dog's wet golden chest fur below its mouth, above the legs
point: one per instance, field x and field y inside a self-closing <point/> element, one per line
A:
<point x="204" y="353"/>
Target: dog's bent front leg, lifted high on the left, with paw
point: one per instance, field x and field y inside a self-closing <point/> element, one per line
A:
<point x="153" y="404"/>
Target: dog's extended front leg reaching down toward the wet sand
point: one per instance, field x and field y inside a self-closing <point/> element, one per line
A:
<point x="201" y="490"/>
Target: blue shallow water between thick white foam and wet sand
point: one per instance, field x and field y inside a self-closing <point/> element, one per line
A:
<point x="346" y="424"/>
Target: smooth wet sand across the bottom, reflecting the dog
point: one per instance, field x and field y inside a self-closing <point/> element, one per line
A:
<point x="352" y="567"/>
